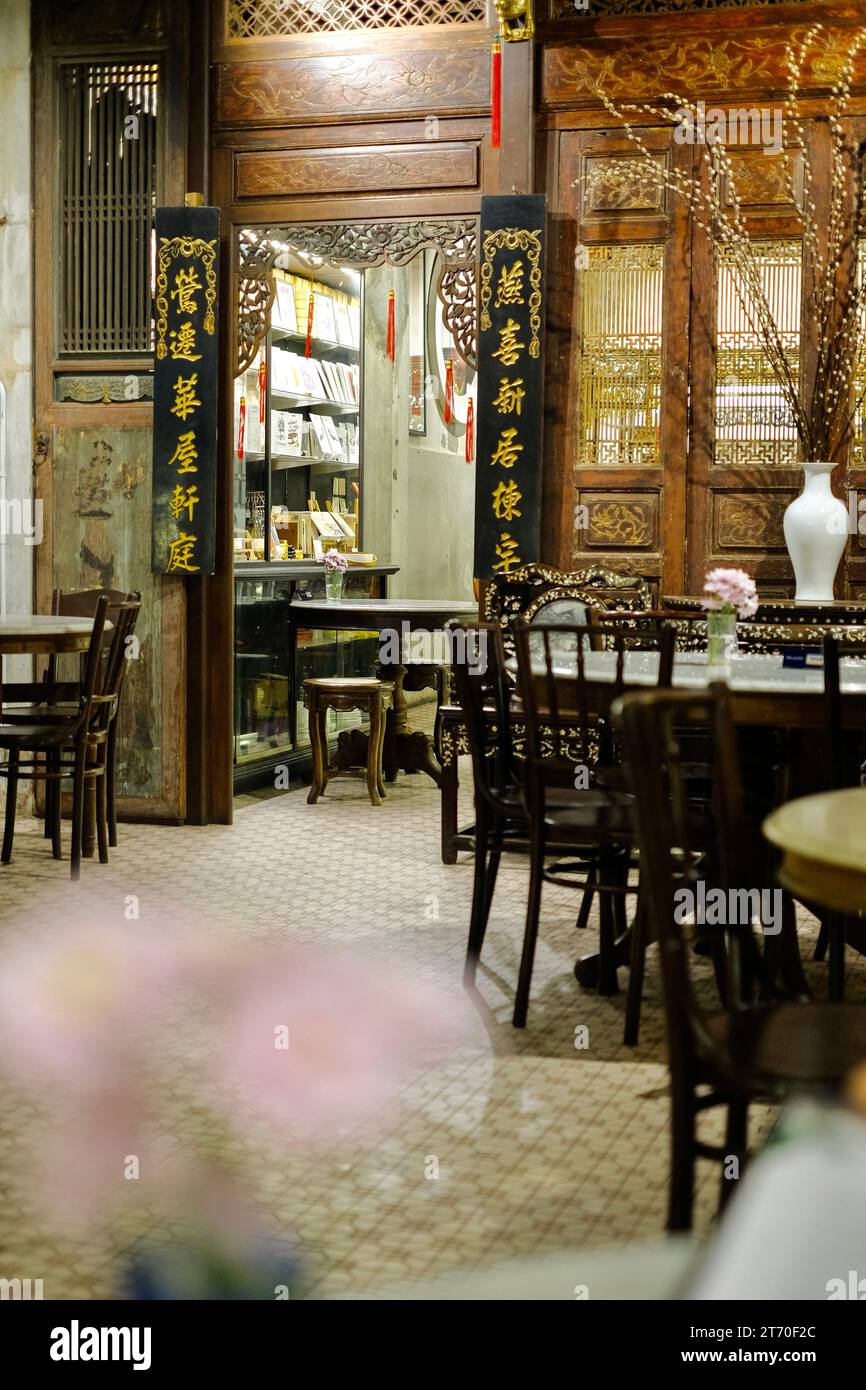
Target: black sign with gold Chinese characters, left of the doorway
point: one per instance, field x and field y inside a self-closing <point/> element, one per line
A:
<point x="186" y="390"/>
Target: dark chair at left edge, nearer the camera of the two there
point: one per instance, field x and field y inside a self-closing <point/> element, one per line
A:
<point x="69" y="744"/>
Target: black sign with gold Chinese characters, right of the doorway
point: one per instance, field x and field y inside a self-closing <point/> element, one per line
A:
<point x="511" y="363"/>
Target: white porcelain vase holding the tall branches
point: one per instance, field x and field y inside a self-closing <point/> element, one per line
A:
<point x="817" y="532"/>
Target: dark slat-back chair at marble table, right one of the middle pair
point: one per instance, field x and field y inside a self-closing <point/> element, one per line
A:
<point x="568" y="749"/>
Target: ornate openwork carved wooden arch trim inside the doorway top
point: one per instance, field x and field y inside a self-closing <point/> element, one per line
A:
<point x="362" y="245"/>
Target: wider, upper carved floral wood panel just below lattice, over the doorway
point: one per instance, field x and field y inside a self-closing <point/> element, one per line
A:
<point x="298" y="91"/>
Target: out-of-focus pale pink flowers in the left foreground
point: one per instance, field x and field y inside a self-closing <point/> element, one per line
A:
<point x="94" y="1017"/>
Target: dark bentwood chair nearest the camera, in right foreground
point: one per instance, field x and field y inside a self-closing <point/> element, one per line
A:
<point x="749" y="1050"/>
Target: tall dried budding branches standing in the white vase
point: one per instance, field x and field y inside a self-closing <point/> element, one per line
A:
<point x="822" y="411"/>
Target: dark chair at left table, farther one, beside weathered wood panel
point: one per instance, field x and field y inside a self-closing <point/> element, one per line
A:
<point x="54" y="700"/>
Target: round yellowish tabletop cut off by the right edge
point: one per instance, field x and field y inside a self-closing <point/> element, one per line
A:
<point x="824" y="842"/>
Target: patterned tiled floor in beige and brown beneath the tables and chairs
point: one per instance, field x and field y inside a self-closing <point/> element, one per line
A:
<point x="540" y="1146"/>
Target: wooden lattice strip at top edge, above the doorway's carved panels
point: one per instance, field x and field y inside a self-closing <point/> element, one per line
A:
<point x="281" y="19"/>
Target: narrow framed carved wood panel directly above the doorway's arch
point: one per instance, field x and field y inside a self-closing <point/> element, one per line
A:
<point x="297" y="173"/>
